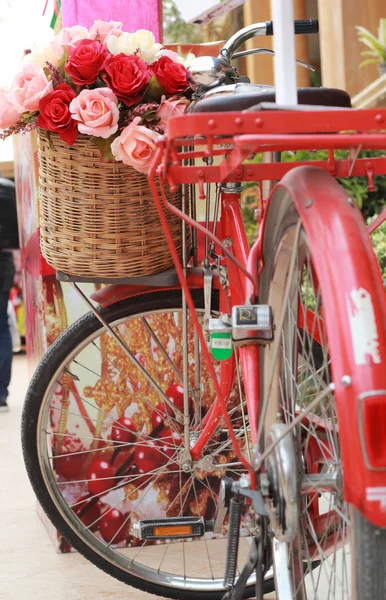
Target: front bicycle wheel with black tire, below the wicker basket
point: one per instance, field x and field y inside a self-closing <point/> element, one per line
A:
<point x="101" y="447"/>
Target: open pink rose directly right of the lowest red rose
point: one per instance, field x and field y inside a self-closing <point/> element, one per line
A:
<point x="96" y="112"/>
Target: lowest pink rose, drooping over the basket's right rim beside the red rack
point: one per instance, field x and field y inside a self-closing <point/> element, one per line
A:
<point x="135" y="146"/>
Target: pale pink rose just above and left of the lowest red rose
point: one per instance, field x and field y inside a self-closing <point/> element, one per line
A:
<point x="29" y="87"/>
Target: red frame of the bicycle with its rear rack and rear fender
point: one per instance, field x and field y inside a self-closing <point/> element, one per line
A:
<point x="233" y="137"/>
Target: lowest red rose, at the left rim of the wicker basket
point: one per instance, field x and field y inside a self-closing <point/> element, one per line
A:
<point x="54" y="113"/>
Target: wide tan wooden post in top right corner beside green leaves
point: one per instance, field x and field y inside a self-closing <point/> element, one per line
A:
<point x="339" y="46"/>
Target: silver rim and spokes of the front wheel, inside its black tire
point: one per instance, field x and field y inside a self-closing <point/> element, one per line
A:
<point x="130" y="469"/>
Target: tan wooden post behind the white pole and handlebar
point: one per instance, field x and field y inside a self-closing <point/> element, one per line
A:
<point x="260" y="68"/>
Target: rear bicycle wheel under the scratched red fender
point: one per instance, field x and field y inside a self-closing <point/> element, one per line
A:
<point x="313" y="526"/>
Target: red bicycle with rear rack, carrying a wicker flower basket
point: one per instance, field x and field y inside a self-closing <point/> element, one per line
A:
<point x="220" y="429"/>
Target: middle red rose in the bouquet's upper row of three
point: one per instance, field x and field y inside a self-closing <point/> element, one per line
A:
<point x="127" y="76"/>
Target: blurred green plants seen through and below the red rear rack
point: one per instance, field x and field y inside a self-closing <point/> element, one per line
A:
<point x="370" y="203"/>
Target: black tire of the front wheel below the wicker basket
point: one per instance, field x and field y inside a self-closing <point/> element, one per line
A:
<point x="44" y="374"/>
